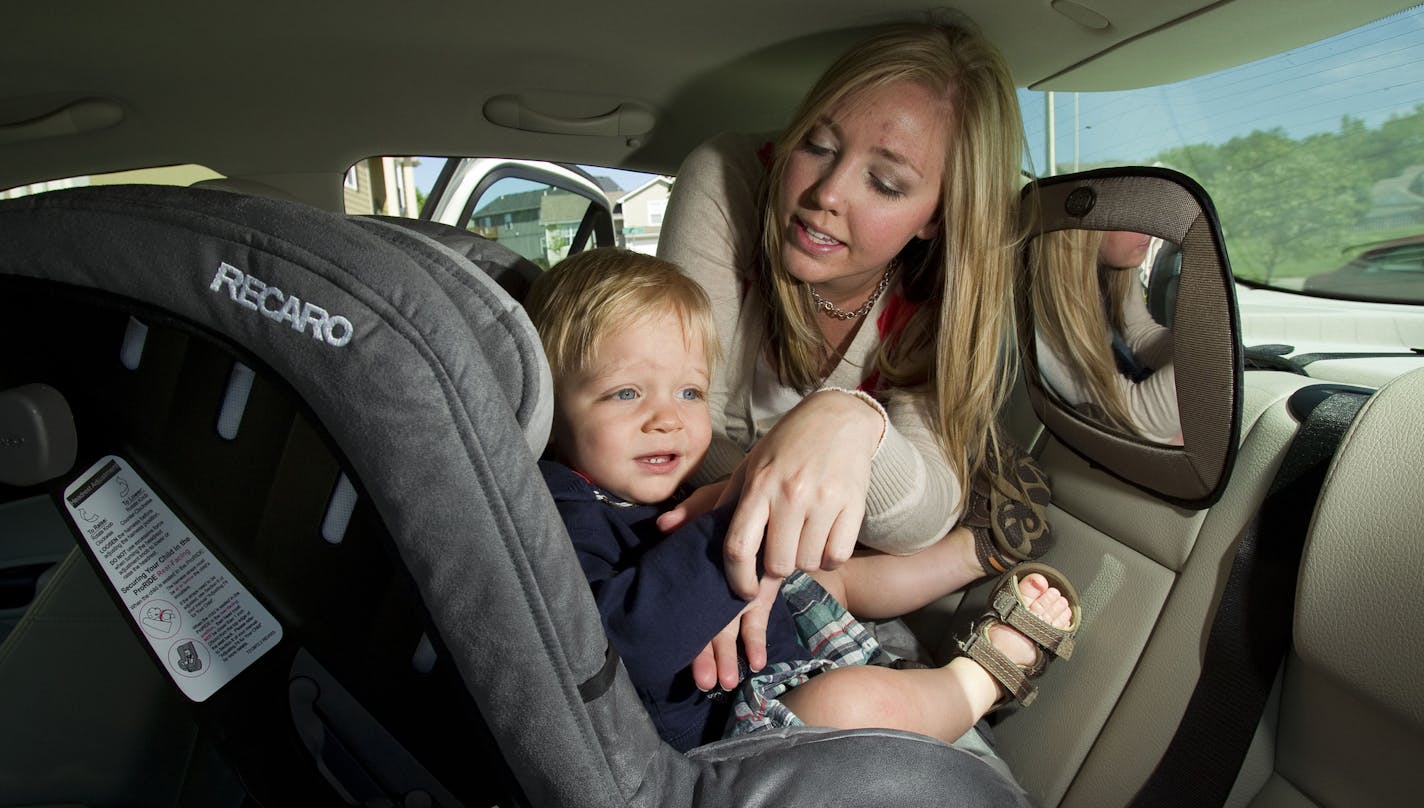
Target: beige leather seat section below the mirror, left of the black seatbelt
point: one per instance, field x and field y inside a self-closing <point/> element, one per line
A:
<point x="1150" y="575"/>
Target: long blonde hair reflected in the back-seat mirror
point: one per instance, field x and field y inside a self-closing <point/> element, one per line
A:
<point x="1077" y="304"/>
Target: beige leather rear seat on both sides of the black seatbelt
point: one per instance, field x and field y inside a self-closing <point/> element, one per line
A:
<point x="1150" y="576"/>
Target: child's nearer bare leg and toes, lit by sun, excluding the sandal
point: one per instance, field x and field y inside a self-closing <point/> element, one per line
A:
<point x="942" y="703"/>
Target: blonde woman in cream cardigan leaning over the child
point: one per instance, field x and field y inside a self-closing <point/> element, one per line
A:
<point x="861" y="273"/>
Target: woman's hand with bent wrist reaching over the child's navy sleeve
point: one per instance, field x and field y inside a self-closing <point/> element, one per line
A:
<point x="804" y="488"/>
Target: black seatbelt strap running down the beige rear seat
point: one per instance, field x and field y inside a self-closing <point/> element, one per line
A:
<point x="1251" y="632"/>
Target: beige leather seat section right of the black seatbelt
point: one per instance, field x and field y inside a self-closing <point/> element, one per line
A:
<point x="1351" y="726"/>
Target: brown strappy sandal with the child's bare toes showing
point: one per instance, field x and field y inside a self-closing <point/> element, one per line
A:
<point x="1007" y="606"/>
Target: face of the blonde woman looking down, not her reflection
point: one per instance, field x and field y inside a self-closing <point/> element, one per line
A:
<point x="862" y="183"/>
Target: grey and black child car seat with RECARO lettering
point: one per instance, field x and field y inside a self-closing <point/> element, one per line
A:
<point x="327" y="414"/>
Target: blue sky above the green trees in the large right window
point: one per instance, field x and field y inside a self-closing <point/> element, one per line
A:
<point x="1371" y="73"/>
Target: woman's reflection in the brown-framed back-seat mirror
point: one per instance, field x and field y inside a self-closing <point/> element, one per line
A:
<point x="1099" y="347"/>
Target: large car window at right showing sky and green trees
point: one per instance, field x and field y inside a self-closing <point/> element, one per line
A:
<point x="1315" y="159"/>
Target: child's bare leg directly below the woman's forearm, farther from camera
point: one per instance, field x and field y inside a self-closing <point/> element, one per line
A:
<point x="876" y="586"/>
